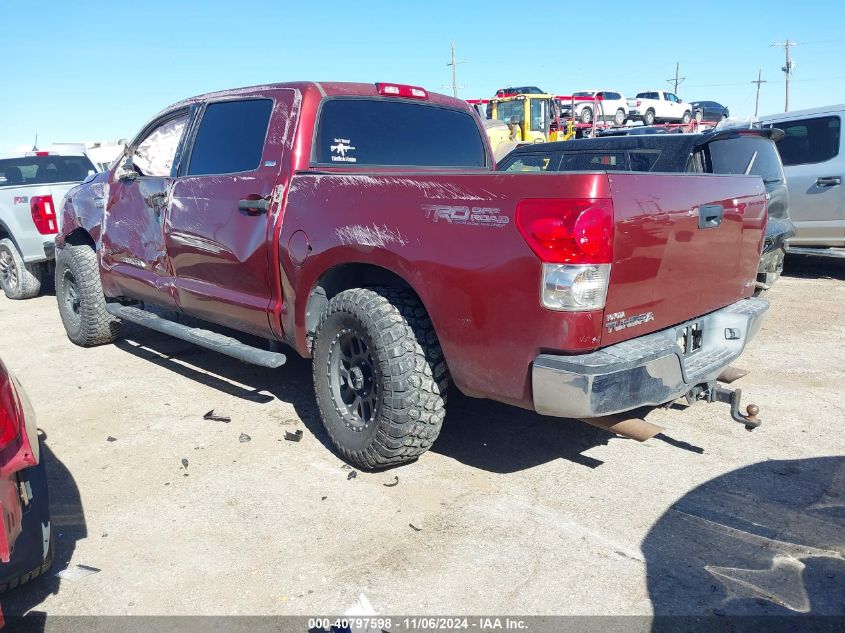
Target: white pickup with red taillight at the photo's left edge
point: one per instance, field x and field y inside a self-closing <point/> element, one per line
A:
<point x="31" y="185"/>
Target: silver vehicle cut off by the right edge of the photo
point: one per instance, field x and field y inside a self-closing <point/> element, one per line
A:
<point x="814" y="162"/>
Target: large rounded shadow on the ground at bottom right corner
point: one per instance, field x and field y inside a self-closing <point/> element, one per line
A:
<point x="764" y="540"/>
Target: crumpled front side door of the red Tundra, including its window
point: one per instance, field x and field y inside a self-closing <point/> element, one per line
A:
<point x="133" y="255"/>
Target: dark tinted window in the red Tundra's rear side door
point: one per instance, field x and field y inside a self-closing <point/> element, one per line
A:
<point x="230" y="138"/>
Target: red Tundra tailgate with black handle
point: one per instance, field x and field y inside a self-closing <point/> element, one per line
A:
<point x="674" y="259"/>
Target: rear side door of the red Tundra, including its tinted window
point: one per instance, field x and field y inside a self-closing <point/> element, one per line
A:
<point x="220" y="227"/>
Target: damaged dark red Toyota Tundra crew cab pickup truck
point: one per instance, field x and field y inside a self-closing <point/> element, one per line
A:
<point x="363" y="226"/>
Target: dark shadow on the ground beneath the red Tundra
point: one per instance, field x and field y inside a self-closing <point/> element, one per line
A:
<point x="480" y="433"/>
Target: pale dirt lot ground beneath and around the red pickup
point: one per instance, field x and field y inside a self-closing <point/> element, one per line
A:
<point x="512" y="513"/>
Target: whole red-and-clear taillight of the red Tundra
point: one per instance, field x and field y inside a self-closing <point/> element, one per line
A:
<point x="574" y="240"/>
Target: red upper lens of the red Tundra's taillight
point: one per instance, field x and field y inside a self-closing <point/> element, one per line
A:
<point x="576" y="231"/>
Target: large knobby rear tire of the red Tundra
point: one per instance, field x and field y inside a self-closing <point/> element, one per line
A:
<point x="407" y="365"/>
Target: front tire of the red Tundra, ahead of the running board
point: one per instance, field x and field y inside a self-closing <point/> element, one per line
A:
<point x="89" y="324"/>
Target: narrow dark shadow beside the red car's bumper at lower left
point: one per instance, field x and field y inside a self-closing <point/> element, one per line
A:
<point x="68" y="526"/>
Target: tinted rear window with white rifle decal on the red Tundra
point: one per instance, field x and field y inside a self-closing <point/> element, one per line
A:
<point x="397" y="133"/>
